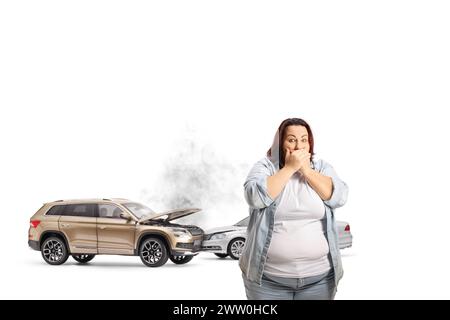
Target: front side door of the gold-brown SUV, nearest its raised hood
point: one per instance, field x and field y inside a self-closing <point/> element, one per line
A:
<point x="115" y="234"/>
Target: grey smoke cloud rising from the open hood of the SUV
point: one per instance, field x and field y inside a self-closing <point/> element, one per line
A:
<point x="198" y="175"/>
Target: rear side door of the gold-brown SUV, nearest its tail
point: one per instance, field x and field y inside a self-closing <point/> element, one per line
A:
<point x="78" y="223"/>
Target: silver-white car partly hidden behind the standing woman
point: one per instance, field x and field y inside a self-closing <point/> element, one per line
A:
<point x="230" y="240"/>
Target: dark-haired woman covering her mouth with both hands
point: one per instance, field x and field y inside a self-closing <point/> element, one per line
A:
<point x="291" y="251"/>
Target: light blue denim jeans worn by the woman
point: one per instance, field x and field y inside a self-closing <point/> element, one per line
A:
<point x="321" y="287"/>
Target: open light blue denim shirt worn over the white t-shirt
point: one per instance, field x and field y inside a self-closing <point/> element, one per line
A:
<point x="262" y="215"/>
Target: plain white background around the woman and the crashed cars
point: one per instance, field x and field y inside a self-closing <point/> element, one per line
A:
<point x="103" y="98"/>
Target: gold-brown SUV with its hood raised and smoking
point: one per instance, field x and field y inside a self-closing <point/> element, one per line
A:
<point x="84" y="228"/>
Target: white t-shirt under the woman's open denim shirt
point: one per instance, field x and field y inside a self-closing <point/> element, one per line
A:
<point x="298" y="247"/>
